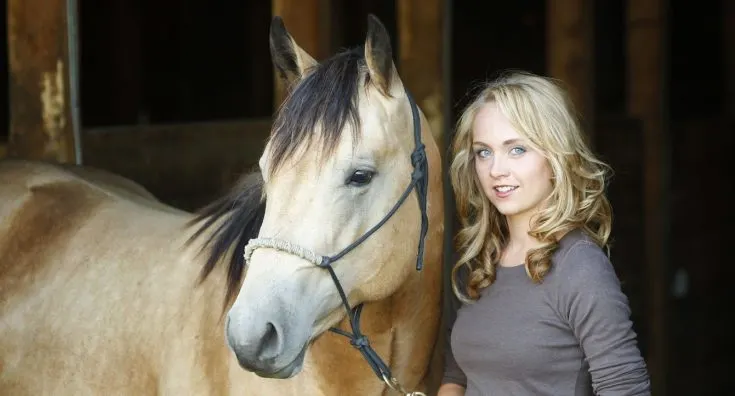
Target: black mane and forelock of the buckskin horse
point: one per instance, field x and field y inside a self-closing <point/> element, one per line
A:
<point x="327" y="98"/>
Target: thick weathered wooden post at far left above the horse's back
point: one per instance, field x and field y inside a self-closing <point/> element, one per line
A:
<point x="41" y="122"/>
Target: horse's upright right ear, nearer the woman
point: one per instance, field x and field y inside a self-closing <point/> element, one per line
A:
<point x="379" y="58"/>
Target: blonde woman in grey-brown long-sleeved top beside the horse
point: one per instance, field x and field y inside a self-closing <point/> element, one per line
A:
<point x="542" y="310"/>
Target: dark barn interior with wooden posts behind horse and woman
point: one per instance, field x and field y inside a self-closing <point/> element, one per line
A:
<point x="178" y="96"/>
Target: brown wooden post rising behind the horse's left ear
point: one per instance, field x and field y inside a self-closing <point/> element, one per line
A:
<point x="309" y="22"/>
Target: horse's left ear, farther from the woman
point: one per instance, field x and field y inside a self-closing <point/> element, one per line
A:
<point x="291" y="60"/>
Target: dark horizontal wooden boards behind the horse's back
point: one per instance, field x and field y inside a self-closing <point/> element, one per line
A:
<point x="185" y="165"/>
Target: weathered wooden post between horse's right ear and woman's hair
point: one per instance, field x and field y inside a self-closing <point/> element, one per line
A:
<point x="421" y="53"/>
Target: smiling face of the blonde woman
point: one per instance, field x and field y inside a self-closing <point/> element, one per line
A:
<point x="515" y="178"/>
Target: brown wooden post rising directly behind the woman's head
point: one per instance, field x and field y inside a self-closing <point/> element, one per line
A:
<point x="570" y="54"/>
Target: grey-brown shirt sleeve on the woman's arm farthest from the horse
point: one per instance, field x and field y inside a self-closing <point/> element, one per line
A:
<point x="598" y="313"/>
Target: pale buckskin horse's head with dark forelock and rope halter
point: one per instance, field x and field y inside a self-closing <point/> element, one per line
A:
<point x="337" y="161"/>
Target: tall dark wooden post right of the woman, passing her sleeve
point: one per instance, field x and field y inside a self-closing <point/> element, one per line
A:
<point x="647" y="75"/>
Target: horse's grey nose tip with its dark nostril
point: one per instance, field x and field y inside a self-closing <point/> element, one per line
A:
<point x="258" y="350"/>
